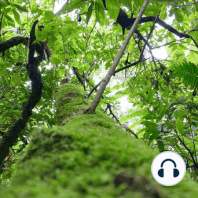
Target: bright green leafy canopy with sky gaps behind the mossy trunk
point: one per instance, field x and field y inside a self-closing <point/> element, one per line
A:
<point x="162" y="109"/>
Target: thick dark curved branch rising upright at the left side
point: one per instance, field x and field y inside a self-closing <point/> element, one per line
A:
<point x="11" y="136"/>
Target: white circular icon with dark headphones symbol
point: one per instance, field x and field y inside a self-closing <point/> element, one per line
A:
<point x="168" y="168"/>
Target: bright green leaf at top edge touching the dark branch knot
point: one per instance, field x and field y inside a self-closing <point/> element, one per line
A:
<point x="113" y="8"/>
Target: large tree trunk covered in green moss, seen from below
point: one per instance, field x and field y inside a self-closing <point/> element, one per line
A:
<point x="87" y="156"/>
